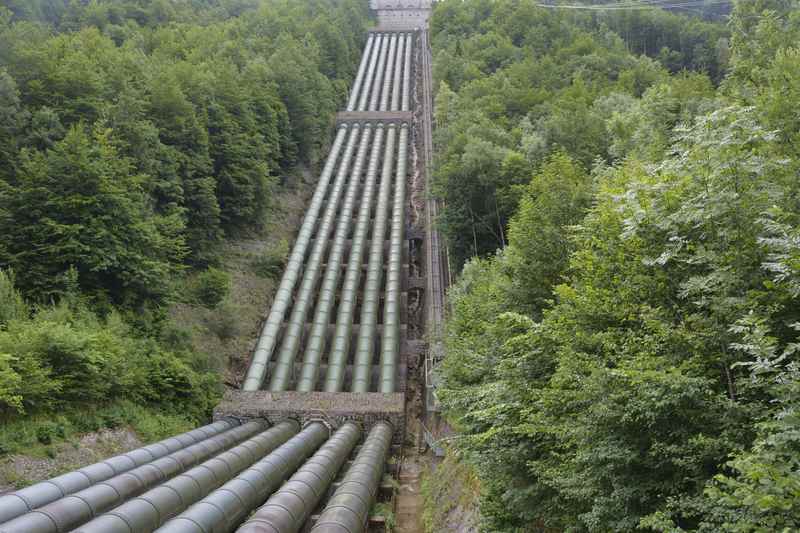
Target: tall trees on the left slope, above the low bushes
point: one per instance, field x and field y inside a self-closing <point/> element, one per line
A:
<point x="171" y="123"/>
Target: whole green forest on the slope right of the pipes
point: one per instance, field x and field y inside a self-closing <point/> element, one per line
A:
<point x="621" y="190"/>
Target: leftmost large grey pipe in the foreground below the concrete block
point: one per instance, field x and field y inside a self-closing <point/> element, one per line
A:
<point x="27" y="499"/>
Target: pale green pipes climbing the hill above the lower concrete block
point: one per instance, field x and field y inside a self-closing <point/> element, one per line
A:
<point x="310" y="284"/>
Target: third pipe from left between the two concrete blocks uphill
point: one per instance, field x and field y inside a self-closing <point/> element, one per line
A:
<point x="315" y="346"/>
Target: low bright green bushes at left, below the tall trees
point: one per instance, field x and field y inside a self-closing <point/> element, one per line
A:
<point x="64" y="355"/>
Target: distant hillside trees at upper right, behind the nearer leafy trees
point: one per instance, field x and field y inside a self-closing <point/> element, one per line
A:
<point x="518" y="83"/>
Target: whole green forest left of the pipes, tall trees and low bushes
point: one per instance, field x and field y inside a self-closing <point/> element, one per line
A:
<point x="136" y="137"/>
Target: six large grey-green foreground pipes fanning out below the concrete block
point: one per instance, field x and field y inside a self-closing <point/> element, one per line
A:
<point x="227" y="476"/>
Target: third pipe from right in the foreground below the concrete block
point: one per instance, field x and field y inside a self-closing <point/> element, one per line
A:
<point x="225" y="508"/>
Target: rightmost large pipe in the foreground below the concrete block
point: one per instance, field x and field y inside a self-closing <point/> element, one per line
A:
<point x="348" y="509"/>
